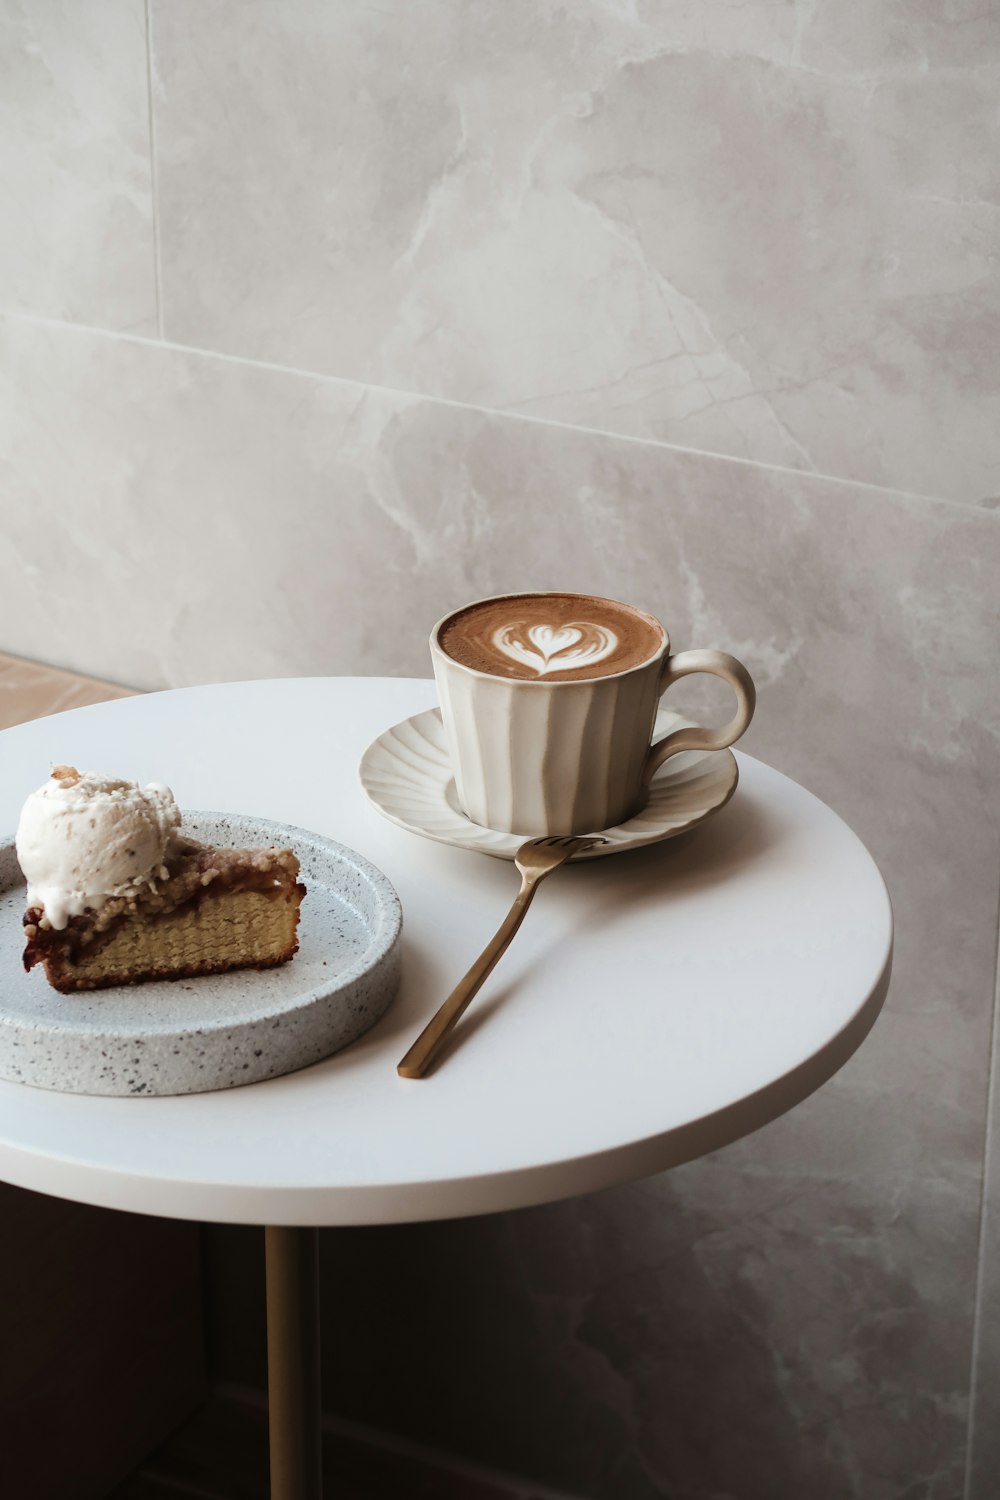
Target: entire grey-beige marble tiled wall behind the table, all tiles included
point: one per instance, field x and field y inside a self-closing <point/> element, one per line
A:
<point x="692" y="304"/>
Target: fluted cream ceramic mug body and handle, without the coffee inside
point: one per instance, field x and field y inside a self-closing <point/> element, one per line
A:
<point x="536" y="757"/>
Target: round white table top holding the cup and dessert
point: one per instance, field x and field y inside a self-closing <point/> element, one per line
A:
<point x="654" y="1006"/>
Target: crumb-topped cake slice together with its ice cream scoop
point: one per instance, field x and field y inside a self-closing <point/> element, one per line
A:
<point x="119" y="896"/>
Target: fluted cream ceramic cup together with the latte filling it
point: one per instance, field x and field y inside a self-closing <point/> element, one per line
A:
<point x="539" y="749"/>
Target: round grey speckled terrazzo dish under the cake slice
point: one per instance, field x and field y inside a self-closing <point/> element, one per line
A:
<point x="220" y="1031"/>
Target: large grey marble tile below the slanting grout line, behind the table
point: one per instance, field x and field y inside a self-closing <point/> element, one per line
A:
<point x="795" y="1315"/>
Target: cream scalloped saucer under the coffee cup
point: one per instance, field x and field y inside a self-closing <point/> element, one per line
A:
<point x="407" y="776"/>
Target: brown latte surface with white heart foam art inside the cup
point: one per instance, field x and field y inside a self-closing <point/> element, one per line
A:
<point x="554" y="638"/>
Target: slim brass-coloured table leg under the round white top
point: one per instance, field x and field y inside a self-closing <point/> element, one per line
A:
<point x="293" y="1363"/>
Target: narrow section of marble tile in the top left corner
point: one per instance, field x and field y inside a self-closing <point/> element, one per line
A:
<point x="76" y="173"/>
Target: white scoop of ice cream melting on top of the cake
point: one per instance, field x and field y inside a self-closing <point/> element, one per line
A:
<point x="83" y="839"/>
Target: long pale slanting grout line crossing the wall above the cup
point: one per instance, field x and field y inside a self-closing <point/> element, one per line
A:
<point x="17" y="316"/>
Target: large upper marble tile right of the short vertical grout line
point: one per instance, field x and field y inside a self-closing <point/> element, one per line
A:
<point x="761" y="230"/>
